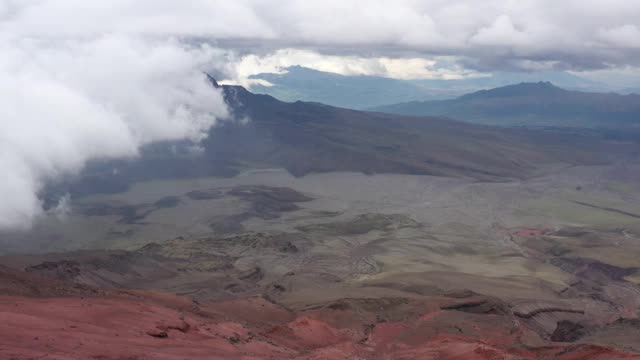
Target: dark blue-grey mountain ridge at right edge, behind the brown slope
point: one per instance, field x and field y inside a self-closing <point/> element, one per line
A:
<point x="531" y="104"/>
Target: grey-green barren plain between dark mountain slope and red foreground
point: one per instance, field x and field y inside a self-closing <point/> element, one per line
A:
<point x="555" y="256"/>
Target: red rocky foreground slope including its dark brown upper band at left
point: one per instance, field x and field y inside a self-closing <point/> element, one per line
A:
<point x="44" y="318"/>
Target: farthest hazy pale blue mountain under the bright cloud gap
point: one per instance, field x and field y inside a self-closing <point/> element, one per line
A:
<point x="361" y="92"/>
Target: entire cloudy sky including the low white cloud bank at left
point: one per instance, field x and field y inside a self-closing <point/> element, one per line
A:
<point x="83" y="80"/>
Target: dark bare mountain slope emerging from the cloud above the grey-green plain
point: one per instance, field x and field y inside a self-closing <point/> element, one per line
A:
<point x="309" y="137"/>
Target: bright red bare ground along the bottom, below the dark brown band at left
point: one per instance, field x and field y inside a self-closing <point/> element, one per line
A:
<point x="151" y="326"/>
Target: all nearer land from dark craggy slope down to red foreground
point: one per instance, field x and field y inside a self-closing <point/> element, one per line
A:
<point x="331" y="263"/>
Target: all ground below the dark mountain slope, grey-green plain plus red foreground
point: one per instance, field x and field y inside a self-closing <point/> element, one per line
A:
<point x="347" y="265"/>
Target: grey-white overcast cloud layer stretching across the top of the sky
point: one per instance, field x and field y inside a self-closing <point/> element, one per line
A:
<point x="493" y="34"/>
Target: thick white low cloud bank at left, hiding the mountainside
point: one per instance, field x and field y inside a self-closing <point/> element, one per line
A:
<point x="65" y="102"/>
